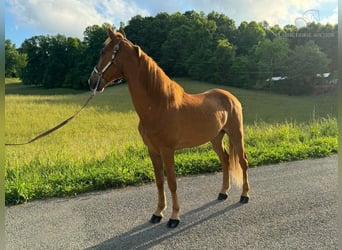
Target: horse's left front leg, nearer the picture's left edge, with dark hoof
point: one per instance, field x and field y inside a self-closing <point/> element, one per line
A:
<point x="159" y="175"/>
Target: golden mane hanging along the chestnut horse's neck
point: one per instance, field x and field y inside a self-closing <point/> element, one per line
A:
<point x="158" y="84"/>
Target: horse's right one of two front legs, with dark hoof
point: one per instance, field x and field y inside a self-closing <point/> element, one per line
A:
<point x="169" y="166"/>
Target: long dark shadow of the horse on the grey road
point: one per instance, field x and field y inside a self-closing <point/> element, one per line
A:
<point x="147" y="235"/>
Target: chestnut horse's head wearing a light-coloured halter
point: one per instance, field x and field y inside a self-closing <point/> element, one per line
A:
<point x="108" y="68"/>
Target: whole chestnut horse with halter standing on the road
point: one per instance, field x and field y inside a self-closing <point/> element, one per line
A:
<point x="172" y="119"/>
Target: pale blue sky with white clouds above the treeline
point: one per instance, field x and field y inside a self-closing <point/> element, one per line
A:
<point x="27" y="18"/>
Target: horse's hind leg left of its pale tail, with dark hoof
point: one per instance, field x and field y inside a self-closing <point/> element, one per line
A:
<point x="224" y="159"/>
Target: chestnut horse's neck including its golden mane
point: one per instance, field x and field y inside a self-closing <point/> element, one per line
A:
<point x="152" y="91"/>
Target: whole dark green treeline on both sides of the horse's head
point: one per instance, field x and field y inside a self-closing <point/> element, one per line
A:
<point x="203" y="47"/>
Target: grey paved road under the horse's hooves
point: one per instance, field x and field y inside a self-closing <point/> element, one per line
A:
<point x="292" y="206"/>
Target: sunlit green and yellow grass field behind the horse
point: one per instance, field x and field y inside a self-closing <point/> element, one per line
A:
<point x="101" y="148"/>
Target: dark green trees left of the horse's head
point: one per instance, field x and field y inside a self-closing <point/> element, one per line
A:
<point x="57" y="61"/>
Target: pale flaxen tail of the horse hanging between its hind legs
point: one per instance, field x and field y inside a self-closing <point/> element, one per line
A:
<point x="235" y="169"/>
